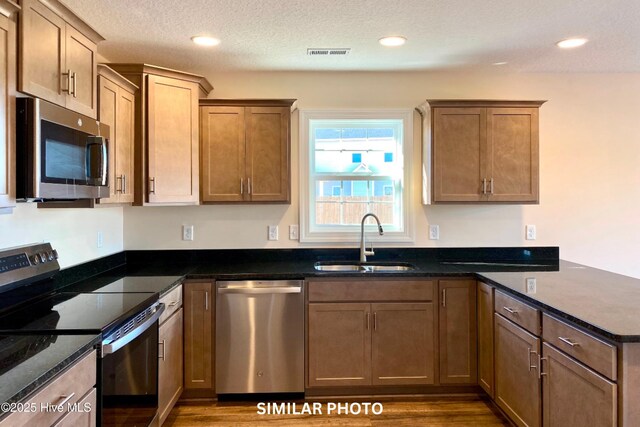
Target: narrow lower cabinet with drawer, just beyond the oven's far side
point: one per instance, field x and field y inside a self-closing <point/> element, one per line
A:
<point x="170" y="353"/>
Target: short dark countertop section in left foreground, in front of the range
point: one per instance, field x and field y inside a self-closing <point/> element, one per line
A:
<point x="29" y="361"/>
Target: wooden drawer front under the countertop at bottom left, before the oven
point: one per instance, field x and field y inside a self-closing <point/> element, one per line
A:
<point x="75" y="381"/>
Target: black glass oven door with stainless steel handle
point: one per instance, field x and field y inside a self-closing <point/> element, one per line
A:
<point x="129" y="372"/>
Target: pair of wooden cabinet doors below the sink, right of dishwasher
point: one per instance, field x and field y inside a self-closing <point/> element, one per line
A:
<point x="360" y="344"/>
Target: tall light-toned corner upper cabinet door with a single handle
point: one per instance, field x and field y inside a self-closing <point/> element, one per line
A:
<point x="172" y="145"/>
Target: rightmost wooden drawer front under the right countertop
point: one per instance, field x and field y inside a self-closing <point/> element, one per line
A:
<point x="591" y="351"/>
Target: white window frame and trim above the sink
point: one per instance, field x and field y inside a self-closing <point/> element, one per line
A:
<point x="350" y="234"/>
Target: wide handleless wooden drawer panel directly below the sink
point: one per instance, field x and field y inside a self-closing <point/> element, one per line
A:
<point x="370" y="290"/>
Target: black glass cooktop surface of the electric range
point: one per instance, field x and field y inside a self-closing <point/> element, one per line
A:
<point x="76" y="313"/>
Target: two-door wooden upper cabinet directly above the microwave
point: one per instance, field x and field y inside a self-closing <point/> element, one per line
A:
<point x="58" y="56"/>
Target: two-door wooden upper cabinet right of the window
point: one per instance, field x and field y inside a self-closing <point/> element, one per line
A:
<point x="484" y="151"/>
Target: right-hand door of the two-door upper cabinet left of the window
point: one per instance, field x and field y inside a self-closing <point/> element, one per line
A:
<point x="267" y="162"/>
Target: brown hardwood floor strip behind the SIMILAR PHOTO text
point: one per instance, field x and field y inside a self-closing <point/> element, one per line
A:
<point x="423" y="411"/>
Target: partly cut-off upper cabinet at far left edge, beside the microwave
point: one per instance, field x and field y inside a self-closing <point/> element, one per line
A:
<point x="7" y="105"/>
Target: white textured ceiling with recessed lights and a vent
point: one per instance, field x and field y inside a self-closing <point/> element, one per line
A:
<point x="442" y="34"/>
